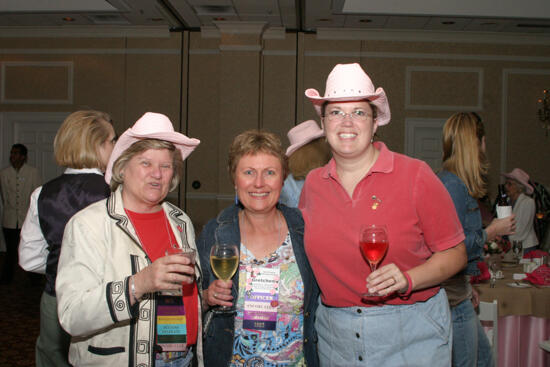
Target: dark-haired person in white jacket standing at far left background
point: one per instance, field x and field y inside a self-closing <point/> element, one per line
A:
<point x="17" y="182"/>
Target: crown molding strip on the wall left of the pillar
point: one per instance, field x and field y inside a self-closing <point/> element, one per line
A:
<point x="95" y="31"/>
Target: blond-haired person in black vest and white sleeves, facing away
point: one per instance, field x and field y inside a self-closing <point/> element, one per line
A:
<point x="83" y="145"/>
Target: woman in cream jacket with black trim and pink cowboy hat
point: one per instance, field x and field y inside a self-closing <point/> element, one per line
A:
<point x="113" y="264"/>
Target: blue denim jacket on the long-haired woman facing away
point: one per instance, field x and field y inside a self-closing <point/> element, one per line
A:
<point x="469" y="214"/>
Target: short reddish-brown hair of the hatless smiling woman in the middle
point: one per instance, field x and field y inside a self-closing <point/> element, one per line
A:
<point x="253" y="142"/>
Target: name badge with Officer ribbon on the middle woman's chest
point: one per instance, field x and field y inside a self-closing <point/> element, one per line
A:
<point x="261" y="298"/>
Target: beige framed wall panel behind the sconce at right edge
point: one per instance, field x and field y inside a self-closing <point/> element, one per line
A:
<point x="527" y="145"/>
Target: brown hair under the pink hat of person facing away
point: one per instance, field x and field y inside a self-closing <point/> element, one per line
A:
<point x="314" y="154"/>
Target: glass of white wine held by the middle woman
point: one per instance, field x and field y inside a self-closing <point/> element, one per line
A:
<point x="224" y="260"/>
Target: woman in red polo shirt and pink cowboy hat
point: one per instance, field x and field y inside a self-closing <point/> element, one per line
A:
<point x="364" y="184"/>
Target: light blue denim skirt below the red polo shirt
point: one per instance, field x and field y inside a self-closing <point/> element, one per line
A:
<point x="403" y="335"/>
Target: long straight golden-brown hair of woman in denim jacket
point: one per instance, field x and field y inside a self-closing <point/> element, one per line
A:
<point x="462" y="155"/>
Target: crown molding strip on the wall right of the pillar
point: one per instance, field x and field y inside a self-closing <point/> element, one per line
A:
<point x="433" y="36"/>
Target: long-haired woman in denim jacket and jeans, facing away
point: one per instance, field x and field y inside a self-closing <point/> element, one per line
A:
<point x="465" y="168"/>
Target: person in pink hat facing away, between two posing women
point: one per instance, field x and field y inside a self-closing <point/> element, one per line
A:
<point x="307" y="151"/>
